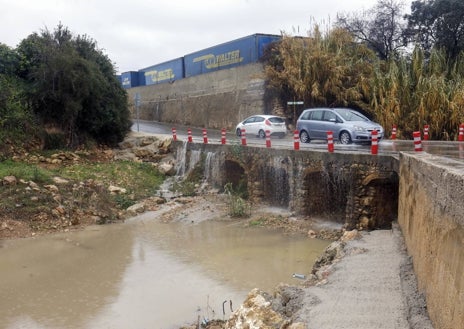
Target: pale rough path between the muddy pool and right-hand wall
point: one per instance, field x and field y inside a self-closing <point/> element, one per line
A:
<point x="372" y="286"/>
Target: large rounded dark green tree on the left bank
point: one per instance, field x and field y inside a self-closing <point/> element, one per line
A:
<point x="72" y="87"/>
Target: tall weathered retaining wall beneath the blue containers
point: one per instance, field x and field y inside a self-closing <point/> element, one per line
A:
<point x="215" y="100"/>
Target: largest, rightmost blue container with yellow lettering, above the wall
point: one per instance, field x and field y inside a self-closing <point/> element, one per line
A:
<point x="231" y="54"/>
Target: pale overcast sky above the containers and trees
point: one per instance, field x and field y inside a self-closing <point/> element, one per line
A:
<point x="139" y="33"/>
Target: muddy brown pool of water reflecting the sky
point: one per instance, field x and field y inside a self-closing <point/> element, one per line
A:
<point x="144" y="273"/>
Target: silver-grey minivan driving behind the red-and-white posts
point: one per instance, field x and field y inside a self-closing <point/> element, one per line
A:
<point x="348" y="126"/>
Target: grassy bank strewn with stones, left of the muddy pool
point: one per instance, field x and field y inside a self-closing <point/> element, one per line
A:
<point x="85" y="194"/>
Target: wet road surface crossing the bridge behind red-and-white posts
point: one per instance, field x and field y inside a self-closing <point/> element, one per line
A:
<point x="452" y="150"/>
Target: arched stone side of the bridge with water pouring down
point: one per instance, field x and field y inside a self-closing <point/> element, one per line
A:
<point x="359" y="190"/>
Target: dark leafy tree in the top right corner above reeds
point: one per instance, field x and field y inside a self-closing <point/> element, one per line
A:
<point x="437" y="23"/>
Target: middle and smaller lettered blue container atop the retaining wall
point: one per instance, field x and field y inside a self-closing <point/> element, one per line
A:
<point x="163" y="72"/>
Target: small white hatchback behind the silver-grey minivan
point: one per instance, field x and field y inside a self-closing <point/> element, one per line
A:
<point x="258" y="124"/>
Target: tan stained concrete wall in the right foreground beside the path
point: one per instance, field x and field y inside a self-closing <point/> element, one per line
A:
<point x="431" y="216"/>
